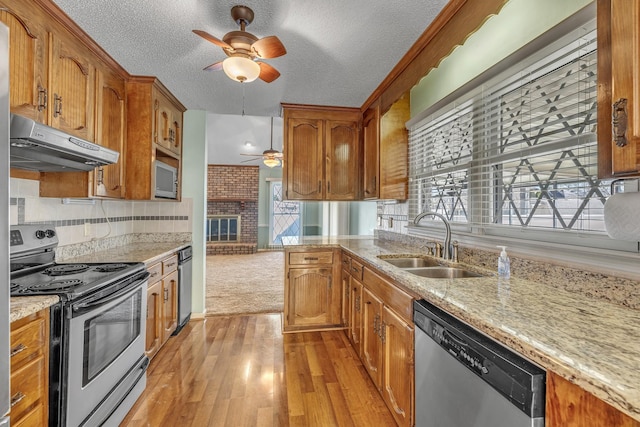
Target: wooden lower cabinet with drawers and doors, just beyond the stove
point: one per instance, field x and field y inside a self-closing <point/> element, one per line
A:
<point x="162" y="303"/>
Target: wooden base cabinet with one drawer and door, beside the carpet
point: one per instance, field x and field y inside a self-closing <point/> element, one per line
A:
<point x="312" y="296"/>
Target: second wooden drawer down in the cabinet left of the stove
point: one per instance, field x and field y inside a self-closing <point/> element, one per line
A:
<point x="27" y="386"/>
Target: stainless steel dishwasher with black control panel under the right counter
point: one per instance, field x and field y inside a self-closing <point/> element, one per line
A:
<point x="466" y="379"/>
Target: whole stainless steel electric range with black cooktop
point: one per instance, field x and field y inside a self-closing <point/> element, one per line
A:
<point x="97" y="363"/>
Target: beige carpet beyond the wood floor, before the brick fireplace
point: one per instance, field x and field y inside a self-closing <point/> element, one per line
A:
<point x="245" y="284"/>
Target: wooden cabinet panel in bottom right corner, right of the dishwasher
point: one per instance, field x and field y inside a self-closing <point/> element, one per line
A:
<point x="568" y="405"/>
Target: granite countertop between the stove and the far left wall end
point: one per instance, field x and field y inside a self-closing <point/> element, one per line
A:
<point x="149" y="253"/>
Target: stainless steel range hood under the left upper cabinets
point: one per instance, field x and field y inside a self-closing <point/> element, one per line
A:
<point x="37" y="147"/>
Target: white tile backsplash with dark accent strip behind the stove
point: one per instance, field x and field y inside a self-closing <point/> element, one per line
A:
<point x="79" y="223"/>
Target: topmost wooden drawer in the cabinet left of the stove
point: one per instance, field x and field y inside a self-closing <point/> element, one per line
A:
<point x="28" y="339"/>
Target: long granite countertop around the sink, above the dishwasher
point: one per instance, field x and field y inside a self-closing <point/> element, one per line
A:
<point x="592" y="343"/>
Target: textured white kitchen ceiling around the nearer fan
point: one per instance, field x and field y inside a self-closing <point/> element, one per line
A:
<point x="338" y="51"/>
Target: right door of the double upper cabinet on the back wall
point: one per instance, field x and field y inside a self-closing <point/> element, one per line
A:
<point x="342" y="172"/>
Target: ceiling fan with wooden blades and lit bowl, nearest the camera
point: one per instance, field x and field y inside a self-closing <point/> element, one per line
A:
<point x="244" y="50"/>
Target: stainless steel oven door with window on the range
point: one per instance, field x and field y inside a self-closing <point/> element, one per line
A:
<point x="106" y="344"/>
